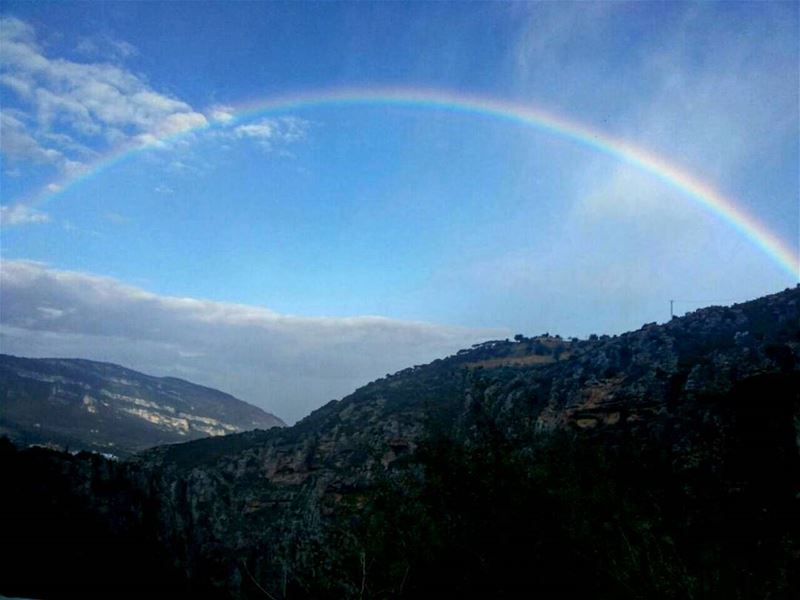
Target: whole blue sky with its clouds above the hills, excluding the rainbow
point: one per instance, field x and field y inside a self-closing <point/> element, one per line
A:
<point x="347" y="241"/>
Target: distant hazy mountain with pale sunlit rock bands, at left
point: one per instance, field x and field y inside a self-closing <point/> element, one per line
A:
<point x="102" y="407"/>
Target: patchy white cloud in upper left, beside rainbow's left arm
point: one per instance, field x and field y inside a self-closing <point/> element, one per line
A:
<point x="63" y="105"/>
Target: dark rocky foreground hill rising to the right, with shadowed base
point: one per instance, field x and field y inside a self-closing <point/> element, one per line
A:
<point x="662" y="463"/>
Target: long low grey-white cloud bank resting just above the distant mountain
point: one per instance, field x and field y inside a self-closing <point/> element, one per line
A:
<point x="286" y="364"/>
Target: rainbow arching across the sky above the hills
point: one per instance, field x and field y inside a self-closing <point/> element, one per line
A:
<point x="528" y="116"/>
